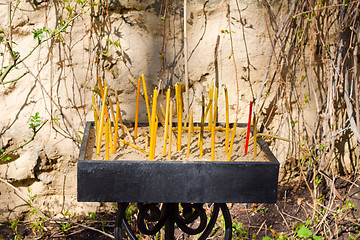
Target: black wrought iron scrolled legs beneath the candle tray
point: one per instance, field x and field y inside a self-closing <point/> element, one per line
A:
<point x="169" y="214"/>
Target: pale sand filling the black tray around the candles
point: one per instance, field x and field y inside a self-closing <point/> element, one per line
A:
<point x="125" y="152"/>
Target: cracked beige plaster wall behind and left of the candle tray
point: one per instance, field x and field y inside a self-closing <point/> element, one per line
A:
<point x="61" y="75"/>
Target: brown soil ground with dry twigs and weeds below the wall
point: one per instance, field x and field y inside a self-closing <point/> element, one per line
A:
<point x="250" y="221"/>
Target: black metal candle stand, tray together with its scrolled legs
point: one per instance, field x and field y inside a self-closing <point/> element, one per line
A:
<point x="181" y="187"/>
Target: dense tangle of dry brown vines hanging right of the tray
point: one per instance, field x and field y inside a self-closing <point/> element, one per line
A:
<point x="313" y="69"/>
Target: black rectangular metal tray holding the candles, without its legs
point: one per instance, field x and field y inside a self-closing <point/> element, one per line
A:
<point x="174" y="181"/>
